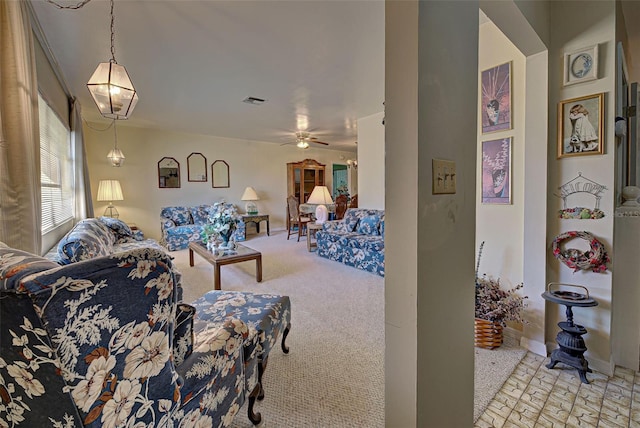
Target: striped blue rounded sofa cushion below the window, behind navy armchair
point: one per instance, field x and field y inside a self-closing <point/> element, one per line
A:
<point x="88" y="239"/>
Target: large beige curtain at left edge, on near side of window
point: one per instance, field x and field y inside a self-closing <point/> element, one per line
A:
<point x="20" y="212"/>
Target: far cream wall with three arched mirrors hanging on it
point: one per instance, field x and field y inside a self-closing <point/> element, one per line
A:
<point x="258" y="164"/>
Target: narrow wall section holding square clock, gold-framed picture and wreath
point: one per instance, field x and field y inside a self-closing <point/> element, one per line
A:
<point x="595" y="26"/>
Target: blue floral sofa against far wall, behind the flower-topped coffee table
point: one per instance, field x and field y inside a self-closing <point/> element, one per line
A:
<point x="180" y="224"/>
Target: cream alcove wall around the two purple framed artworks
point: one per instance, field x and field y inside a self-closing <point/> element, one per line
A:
<point x="501" y="226"/>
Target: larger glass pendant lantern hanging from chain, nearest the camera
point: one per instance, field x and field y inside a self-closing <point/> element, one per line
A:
<point x="111" y="87"/>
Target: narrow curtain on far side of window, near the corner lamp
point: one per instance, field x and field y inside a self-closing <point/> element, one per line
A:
<point x="84" y="202"/>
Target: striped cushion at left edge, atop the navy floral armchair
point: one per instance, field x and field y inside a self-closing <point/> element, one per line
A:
<point x="17" y="264"/>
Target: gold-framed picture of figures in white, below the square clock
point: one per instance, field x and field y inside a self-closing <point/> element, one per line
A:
<point x="580" y="126"/>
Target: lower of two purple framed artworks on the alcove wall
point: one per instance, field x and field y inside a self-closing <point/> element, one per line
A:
<point x="496" y="171"/>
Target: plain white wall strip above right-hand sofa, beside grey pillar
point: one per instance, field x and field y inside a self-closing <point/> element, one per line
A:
<point x="371" y="162"/>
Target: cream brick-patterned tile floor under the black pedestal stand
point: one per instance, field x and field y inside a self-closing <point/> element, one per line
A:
<point x="535" y="396"/>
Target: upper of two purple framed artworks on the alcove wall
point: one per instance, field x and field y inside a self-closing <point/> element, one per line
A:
<point x="496" y="98"/>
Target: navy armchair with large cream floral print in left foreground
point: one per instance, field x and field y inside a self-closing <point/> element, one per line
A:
<point x="74" y="352"/>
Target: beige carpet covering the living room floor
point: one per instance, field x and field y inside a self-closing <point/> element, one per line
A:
<point x="334" y="374"/>
